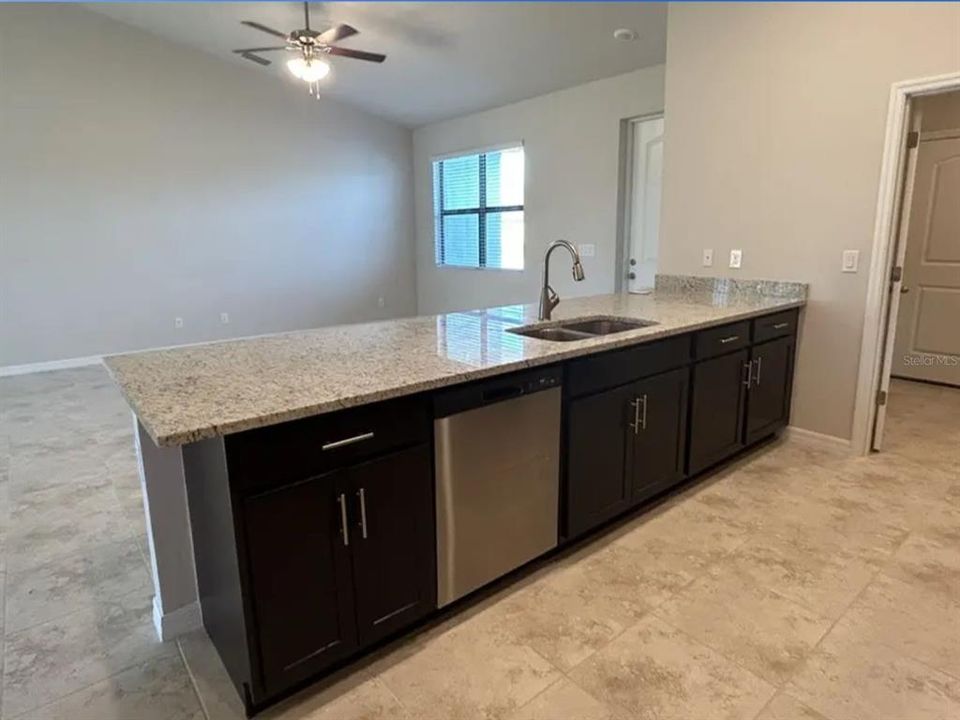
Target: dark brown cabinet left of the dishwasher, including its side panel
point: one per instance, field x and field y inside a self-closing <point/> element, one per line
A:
<point x="313" y="540"/>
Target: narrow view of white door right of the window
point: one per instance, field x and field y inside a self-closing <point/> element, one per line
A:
<point x="646" y="180"/>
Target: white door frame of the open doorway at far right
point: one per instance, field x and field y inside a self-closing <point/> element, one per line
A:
<point x="878" y="324"/>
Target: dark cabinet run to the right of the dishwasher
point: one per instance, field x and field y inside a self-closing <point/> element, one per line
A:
<point x="629" y="442"/>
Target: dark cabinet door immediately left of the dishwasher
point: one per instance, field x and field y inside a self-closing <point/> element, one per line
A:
<point x="393" y="542"/>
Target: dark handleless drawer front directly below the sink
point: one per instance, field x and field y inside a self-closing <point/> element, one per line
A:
<point x="619" y="367"/>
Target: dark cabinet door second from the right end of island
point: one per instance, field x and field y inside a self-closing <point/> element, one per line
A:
<point x="716" y="410"/>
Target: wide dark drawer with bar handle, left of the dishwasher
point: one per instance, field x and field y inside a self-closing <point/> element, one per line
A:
<point x="279" y="454"/>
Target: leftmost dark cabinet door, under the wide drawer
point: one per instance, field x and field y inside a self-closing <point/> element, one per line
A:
<point x="300" y="579"/>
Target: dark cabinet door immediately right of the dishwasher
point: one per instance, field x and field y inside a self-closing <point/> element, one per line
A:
<point x="597" y="485"/>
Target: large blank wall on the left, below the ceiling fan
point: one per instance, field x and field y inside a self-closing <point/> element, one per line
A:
<point x="141" y="181"/>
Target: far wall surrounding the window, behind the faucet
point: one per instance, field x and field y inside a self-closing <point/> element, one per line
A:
<point x="572" y="146"/>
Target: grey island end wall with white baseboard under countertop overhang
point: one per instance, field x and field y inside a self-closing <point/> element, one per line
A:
<point x="176" y="609"/>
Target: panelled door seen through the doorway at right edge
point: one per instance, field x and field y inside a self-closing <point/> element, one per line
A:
<point x="927" y="343"/>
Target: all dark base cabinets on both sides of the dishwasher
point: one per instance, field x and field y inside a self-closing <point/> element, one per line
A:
<point x="316" y="539"/>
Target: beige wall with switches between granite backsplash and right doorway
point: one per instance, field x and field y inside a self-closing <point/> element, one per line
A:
<point x="774" y="135"/>
